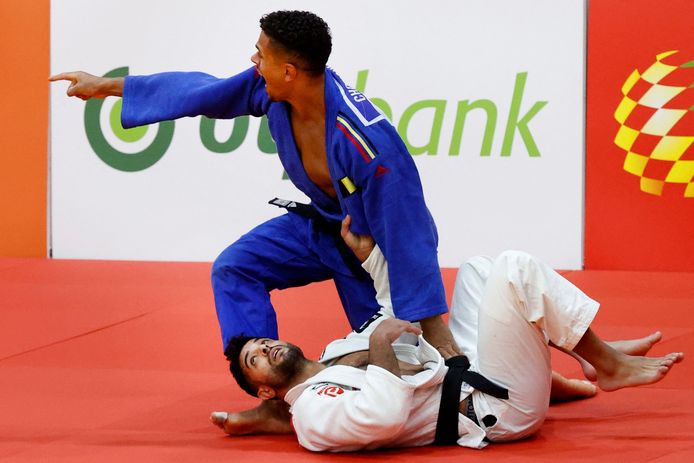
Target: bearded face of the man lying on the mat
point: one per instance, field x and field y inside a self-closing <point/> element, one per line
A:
<point x="268" y="362"/>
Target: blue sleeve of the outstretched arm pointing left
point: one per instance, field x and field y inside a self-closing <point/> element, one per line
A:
<point x="171" y="95"/>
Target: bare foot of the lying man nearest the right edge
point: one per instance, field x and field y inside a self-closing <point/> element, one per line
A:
<point x="630" y="371"/>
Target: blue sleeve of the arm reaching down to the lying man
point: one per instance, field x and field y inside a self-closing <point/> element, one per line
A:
<point x="399" y="221"/>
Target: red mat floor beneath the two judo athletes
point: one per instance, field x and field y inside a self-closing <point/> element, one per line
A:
<point x="121" y="361"/>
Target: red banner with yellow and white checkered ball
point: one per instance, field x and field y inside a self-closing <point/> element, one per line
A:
<point x="640" y="136"/>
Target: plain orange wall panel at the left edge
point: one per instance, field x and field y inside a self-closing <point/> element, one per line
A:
<point x="24" y="51"/>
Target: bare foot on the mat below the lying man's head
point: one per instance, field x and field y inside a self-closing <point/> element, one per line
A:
<point x="270" y="417"/>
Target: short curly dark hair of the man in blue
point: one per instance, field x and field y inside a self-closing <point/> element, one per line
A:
<point x="302" y="34"/>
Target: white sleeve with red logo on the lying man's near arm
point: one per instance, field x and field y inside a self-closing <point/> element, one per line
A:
<point x="342" y="420"/>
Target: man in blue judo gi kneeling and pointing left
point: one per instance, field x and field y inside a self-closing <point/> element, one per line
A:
<point x="338" y="149"/>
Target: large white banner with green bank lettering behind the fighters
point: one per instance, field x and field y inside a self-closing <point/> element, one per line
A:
<point x="487" y="95"/>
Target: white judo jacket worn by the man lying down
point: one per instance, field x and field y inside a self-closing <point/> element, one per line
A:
<point x="343" y="408"/>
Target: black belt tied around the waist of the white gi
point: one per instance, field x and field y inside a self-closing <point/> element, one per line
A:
<point x="447" y="422"/>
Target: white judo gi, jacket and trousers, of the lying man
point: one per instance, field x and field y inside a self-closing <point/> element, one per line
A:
<point x="504" y="311"/>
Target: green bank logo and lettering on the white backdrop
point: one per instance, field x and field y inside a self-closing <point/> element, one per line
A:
<point x="147" y="157"/>
